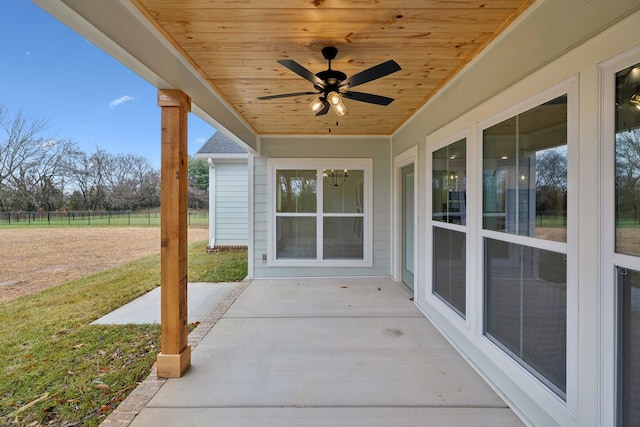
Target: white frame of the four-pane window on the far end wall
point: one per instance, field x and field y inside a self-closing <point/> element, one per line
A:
<point x="364" y="164"/>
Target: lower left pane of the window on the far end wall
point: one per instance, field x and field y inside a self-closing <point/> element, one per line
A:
<point x="296" y="237"/>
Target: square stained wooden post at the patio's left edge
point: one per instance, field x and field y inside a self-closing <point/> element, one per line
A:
<point x="175" y="353"/>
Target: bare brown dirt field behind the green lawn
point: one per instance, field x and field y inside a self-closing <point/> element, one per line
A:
<point x="35" y="258"/>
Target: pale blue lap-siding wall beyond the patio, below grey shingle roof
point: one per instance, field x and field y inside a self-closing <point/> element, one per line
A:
<point x="231" y="203"/>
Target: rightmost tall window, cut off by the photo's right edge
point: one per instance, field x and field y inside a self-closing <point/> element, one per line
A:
<point x="627" y="238"/>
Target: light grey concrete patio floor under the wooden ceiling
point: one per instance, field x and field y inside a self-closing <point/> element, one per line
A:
<point x="326" y="352"/>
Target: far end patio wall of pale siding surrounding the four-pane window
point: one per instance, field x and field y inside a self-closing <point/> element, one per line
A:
<point x="374" y="148"/>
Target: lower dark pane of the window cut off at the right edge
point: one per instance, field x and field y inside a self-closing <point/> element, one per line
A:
<point x="629" y="347"/>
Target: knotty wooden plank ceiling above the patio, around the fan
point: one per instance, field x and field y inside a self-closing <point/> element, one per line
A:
<point x="235" y="44"/>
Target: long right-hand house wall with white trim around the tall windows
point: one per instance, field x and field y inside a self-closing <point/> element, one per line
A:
<point x="591" y="302"/>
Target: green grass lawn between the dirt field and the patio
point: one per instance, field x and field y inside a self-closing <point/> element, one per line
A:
<point x="57" y="369"/>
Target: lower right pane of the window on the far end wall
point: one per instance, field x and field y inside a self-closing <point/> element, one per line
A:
<point x="343" y="238"/>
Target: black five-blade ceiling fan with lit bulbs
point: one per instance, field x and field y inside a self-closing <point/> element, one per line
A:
<point x="332" y="85"/>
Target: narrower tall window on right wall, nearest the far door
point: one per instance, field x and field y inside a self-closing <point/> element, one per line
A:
<point x="448" y="216"/>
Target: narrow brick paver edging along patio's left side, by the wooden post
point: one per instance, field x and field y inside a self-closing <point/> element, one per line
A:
<point x="124" y="414"/>
